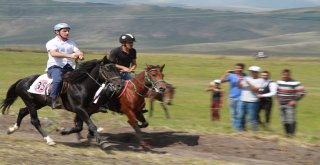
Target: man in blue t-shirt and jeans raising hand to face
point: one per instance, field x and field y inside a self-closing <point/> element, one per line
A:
<point x="232" y="76"/>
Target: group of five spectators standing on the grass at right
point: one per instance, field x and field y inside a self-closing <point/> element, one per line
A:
<point x="252" y="93"/>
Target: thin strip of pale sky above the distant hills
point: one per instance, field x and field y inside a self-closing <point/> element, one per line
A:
<point x="258" y="4"/>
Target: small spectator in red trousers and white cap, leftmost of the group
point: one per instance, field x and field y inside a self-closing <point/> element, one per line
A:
<point x="216" y="99"/>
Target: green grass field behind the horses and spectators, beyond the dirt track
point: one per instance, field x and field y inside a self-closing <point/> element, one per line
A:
<point x="191" y="75"/>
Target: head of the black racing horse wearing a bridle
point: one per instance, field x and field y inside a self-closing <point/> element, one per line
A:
<point x="110" y="74"/>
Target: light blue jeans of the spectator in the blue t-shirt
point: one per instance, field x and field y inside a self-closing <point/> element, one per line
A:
<point x="234" y="108"/>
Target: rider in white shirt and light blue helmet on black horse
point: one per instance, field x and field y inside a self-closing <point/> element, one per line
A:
<point x="61" y="52"/>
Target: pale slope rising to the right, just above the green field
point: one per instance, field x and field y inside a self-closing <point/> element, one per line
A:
<point x="294" y="44"/>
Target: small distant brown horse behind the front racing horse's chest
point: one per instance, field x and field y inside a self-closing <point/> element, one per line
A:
<point x="164" y="99"/>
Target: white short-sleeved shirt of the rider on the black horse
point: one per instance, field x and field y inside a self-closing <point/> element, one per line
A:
<point x="66" y="47"/>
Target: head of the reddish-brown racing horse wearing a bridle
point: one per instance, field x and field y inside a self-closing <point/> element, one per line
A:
<point x="154" y="78"/>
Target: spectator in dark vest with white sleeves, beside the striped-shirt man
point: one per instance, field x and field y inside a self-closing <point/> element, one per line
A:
<point x="268" y="89"/>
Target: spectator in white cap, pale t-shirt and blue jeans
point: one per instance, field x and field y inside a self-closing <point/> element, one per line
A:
<point x="249" y="103"/>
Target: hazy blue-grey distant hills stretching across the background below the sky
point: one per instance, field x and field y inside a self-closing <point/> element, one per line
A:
<point x="28" y="24"/>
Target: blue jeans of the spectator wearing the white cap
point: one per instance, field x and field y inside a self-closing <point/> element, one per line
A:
<point x="250" y="108"/>
